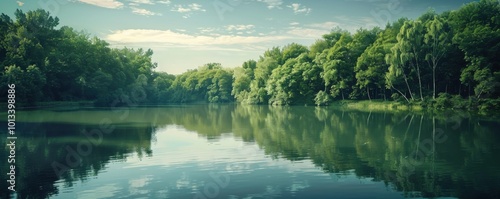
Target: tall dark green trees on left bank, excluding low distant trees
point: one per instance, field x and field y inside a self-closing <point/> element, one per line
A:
<point x="48" y="64"/>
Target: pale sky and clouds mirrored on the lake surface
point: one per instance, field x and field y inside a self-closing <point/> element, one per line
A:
<point x="182" y="164"/>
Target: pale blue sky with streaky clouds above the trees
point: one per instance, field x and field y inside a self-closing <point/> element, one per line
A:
<point x="186" y="34"/>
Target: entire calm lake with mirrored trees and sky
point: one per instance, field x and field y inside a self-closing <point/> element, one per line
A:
<point x="235" y="151"/>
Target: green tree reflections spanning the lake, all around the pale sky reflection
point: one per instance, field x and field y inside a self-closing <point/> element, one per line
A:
<point x="373" y="145"/>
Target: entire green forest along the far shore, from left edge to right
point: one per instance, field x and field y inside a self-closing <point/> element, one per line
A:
<point x="443" y="60"/>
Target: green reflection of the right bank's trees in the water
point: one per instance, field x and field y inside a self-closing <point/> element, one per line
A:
<point x="382" y="146"/>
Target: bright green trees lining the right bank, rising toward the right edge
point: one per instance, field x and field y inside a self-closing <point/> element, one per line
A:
<point x="437" y="59"/>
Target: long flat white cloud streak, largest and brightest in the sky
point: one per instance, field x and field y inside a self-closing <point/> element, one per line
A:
<point x="168" y="37"/>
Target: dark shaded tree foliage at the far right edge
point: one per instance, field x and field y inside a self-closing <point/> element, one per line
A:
<point x="477" y="34"/>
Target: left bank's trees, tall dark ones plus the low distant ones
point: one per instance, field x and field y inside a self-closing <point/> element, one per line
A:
<point x="50" y="64"/>
